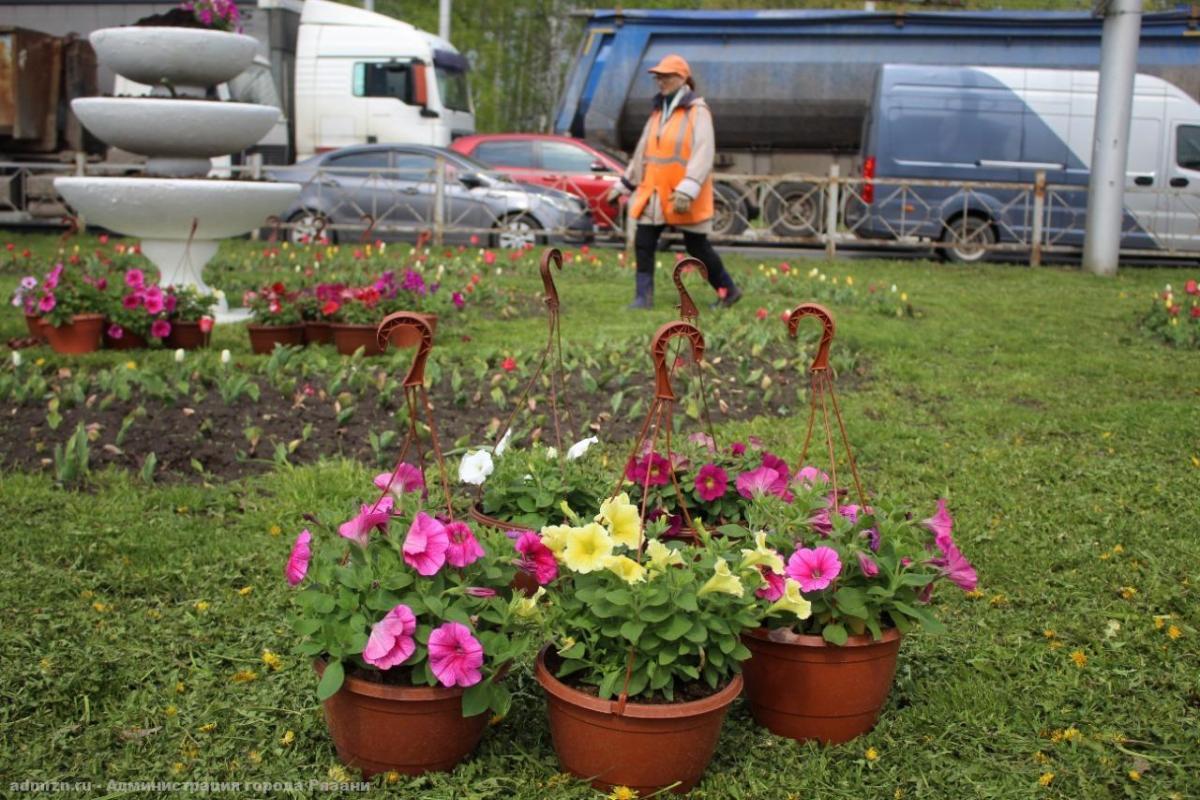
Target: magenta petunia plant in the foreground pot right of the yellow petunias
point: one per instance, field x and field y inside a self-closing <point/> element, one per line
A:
<point x="863" y="569"/>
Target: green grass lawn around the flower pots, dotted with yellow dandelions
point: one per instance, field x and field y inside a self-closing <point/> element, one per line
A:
<point x="1066" y="442"/>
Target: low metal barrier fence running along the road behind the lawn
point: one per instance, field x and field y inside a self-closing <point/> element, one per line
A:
<point x="964" y="221"/>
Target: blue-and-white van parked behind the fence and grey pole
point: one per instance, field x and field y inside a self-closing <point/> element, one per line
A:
<point x="993" y="124"/>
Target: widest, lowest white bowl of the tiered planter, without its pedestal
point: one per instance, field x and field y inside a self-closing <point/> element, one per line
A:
<point x="154" y="208"/>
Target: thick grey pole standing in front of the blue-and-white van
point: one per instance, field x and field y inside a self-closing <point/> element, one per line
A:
<point x="1111" y="143"/>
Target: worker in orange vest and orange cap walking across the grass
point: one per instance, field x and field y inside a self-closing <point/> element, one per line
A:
<point x="671" y="179"/>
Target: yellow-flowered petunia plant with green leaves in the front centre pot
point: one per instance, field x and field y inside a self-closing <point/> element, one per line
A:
<point x="629" y="613"/>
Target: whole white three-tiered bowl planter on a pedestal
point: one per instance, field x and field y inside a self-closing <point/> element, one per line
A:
<point x="178" y="214"/>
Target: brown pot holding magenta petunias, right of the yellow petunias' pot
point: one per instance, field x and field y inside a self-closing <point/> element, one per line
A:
<point x="806" y="688"/>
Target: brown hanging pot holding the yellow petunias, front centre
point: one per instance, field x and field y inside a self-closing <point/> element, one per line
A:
<point x="647" y="748"/>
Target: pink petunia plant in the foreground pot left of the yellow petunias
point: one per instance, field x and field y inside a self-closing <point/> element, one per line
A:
<point x="404" y="596"/>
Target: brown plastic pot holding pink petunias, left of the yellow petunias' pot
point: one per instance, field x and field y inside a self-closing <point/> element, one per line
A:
<point x="410" y="730"/>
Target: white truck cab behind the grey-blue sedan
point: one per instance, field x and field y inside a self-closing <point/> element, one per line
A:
<point x="365" y="79"/>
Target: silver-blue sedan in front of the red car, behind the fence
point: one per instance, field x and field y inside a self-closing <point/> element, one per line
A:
<point x="394" y="189"/>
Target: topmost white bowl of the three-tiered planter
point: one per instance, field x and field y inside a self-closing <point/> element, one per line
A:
<point x="185" y="57"/>
